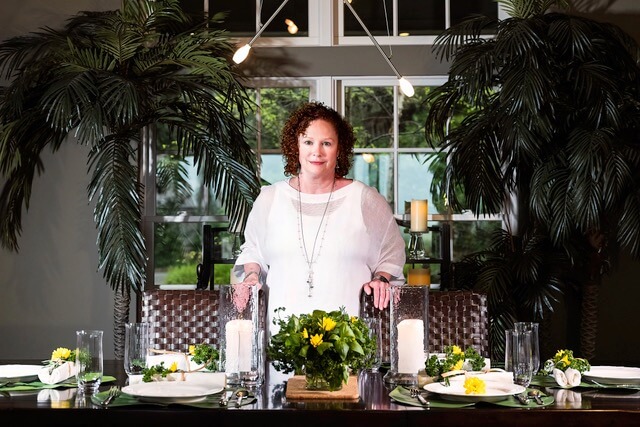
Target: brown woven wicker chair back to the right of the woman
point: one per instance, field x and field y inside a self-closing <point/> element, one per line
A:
<point x="455" y="318"/>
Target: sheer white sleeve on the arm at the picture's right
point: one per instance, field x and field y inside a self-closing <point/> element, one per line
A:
<point x="387" y="253"/>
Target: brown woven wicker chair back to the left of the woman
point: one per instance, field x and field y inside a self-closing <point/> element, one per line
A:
<point x="180" y="318"/>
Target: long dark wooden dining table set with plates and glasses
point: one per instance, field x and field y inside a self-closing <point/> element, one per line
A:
<point x="270" y="405"/>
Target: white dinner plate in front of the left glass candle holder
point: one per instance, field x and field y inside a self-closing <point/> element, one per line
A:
<point x="170" y="391"/>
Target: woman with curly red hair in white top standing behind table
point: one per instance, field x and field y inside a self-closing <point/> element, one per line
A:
<point x="316" y="239"/>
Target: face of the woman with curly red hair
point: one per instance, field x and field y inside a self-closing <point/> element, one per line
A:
<point x="318" y="147"/>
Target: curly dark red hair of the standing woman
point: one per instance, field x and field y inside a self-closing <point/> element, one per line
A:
<point x="297" y="124"/>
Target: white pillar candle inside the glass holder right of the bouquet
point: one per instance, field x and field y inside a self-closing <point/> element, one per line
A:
<point x="411" y="346"/>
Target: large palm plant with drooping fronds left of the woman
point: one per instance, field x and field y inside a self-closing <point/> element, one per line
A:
<point x="105" y="79"/>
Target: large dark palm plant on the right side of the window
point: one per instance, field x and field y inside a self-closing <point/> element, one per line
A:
<point x="552" y="144"/>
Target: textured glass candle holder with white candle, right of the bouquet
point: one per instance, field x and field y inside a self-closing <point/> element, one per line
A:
<point x="409" y="330"/>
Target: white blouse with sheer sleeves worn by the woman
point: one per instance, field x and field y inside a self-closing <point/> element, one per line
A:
<point x="357" y="237"/>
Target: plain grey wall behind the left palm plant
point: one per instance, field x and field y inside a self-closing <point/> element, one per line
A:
<point x="52" y="287"/>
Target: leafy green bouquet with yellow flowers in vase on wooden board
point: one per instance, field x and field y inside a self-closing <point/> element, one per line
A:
<point x="324" y="346"/>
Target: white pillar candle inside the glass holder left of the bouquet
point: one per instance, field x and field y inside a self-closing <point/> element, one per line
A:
<point x="238" y="334"/>
